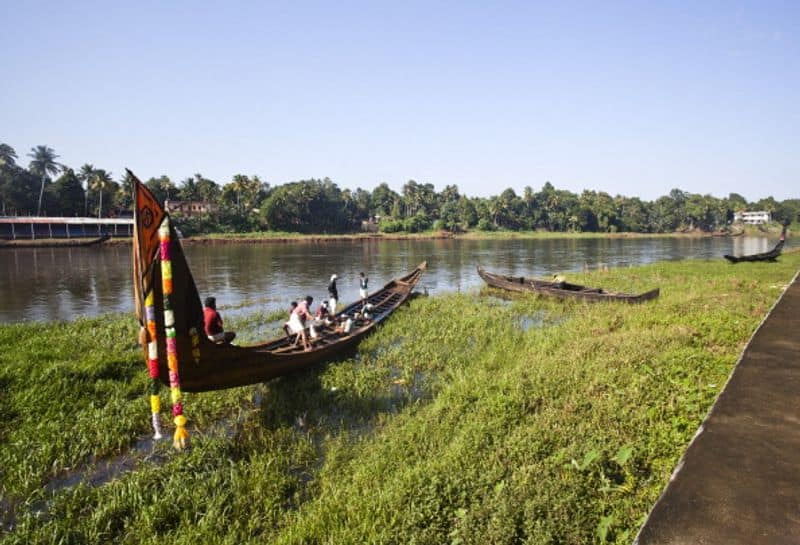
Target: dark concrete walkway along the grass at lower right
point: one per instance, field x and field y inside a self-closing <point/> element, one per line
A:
<point x="739" y="480"/>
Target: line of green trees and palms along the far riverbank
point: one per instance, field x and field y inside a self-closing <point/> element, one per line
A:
<point x="246" y="203"/>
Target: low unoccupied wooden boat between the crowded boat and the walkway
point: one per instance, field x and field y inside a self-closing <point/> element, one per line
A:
<point x="564" y="290"/>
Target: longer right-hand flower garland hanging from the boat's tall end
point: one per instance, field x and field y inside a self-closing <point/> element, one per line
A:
<point x="181" y="435"/>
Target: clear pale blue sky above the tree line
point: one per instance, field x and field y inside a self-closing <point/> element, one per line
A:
<point x="630" y="98"/>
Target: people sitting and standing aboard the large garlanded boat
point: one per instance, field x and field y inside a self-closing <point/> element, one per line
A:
<point x="302" y="324"/>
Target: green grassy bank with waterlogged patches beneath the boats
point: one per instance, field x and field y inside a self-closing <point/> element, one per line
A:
<point x="467" y="418"/>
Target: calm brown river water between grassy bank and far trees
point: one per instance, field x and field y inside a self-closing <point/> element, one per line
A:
<point x="48" y="284"/>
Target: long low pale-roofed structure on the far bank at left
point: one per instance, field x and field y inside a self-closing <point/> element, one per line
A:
<point x="33" y="227"/>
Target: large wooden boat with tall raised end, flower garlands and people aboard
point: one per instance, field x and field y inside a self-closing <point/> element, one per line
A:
<point x="205" y="365"/>
